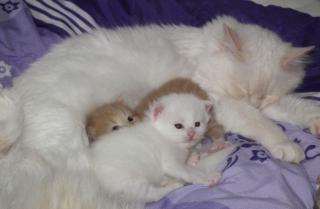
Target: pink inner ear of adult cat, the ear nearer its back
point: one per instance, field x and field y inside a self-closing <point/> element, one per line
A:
<point x="232" y="42"/>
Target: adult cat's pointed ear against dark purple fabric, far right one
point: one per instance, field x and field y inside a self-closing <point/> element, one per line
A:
<point x="295" y="54"/>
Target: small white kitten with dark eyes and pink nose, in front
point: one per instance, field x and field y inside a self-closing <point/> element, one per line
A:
<point x="133" y="161"/>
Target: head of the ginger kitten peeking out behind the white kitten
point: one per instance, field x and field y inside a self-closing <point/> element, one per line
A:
<point x="109" y="117"/>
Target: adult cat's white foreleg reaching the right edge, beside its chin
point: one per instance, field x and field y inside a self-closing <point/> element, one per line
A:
<point x="295" y="110"/>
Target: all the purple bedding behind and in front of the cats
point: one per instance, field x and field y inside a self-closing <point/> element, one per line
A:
<point x="251" y="178"/>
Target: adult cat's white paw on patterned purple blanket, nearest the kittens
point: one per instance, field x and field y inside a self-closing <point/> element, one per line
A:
<point x="288" y="151"/>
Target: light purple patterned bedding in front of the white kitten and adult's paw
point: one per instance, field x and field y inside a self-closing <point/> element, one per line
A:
<point x="252" y="179"/>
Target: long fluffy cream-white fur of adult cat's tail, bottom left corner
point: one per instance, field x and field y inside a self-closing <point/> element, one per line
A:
<point x="28" y="182"/>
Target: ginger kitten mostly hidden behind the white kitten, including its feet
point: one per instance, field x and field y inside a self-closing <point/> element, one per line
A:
<point x="113" y="116"/>
